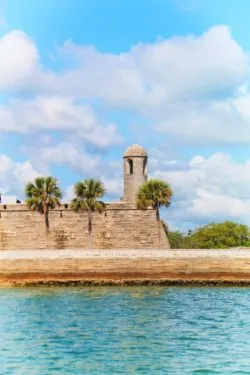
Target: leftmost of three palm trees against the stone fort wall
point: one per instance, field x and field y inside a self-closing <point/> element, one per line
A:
<point x="43" y="195"/>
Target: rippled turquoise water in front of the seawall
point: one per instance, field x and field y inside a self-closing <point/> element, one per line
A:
<point x="136" y="330"/>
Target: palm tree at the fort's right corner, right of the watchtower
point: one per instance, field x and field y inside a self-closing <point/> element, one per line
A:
<point x="155" y="193"/>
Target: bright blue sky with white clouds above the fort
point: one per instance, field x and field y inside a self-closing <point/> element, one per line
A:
<point x="81" y="80"/>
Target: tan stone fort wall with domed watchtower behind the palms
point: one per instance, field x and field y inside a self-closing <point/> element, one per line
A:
<point x="121" y="226"/>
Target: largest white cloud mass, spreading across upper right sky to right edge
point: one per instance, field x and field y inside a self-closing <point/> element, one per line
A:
<point x="186" y="87"/>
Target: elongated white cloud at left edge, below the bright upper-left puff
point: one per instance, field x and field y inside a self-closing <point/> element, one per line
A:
<point x="57" y="113"/>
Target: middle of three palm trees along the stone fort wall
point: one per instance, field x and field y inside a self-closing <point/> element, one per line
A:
<point x="87" y="193"/>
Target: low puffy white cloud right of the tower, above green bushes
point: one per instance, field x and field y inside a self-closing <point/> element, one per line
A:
<point x="213" y="188"/>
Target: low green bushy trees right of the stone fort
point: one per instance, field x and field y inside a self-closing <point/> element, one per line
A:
<point x="211" y="236"/>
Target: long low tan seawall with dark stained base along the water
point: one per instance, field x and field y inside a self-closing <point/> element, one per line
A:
<point x="124" y="267"/>
